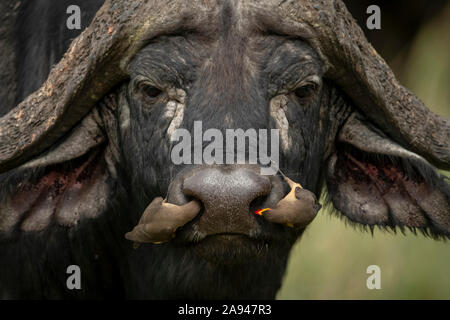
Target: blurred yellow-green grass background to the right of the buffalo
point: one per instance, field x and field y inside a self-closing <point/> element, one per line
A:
<point x="331" y="259"/>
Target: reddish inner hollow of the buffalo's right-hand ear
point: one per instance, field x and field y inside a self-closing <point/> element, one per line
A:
<point x="380" y="192"/>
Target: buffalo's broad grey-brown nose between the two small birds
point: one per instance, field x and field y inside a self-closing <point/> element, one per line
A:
<point x="227" y="194"/>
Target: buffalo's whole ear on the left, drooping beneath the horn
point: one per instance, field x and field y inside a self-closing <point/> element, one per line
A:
<point x="63" y="185"/>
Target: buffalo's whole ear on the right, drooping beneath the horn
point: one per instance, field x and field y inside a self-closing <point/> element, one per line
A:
<point x="374" y="181"/>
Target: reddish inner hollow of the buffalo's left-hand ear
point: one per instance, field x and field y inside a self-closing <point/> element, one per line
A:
<point x="63" y="193"/>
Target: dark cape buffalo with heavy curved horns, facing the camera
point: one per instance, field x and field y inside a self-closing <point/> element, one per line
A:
<point x="86" y="166"/>
